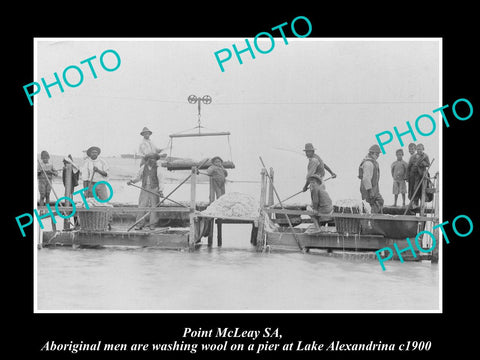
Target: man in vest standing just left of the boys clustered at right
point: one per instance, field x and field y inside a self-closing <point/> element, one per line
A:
<point x="369" y="174"/>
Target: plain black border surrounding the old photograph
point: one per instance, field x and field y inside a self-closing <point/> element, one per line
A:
<point x="450" y="331"/>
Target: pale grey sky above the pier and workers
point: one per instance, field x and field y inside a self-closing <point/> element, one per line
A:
<point x="334" y="93"/>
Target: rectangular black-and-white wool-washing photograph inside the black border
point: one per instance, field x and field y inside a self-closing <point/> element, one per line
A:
<point x="216" y="189"/>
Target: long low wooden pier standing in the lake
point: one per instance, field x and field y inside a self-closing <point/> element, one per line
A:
<point x="183" y="227"/>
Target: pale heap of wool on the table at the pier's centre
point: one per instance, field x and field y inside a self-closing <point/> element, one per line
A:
<point x="233" y="204"/>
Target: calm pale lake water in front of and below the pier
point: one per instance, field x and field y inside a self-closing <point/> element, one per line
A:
<point x="233" y="277"/>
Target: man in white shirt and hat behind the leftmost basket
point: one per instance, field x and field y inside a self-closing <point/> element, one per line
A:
<point x="95" y="169"/>
